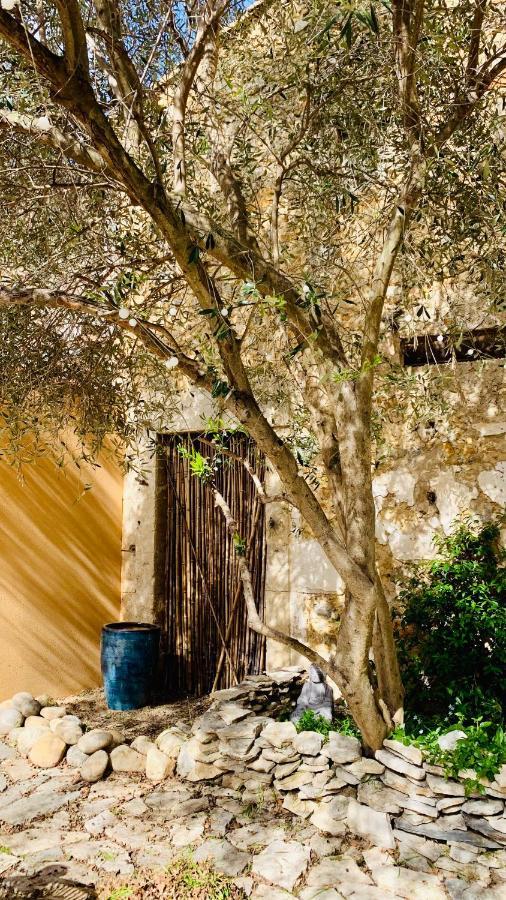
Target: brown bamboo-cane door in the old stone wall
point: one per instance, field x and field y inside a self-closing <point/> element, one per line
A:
<point x="208" y="642"/>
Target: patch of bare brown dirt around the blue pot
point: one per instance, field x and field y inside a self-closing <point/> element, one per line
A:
<point x="91" y="708"/>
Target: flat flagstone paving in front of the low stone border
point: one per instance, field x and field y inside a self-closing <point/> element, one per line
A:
<point x="50" y="821"/>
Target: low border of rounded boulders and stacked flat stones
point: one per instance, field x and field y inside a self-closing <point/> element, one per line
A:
<point x="395" y="799"/>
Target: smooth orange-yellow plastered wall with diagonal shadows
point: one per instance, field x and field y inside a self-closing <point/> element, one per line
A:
<point x="60" y="564"/>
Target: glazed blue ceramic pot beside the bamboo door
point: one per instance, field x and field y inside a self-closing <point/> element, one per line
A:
<point x="129" y="657"/>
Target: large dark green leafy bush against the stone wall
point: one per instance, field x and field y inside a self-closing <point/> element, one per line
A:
<point x="451" y="634"/>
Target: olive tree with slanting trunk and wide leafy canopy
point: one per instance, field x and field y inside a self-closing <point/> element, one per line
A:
<point x="233" y="196"/>
